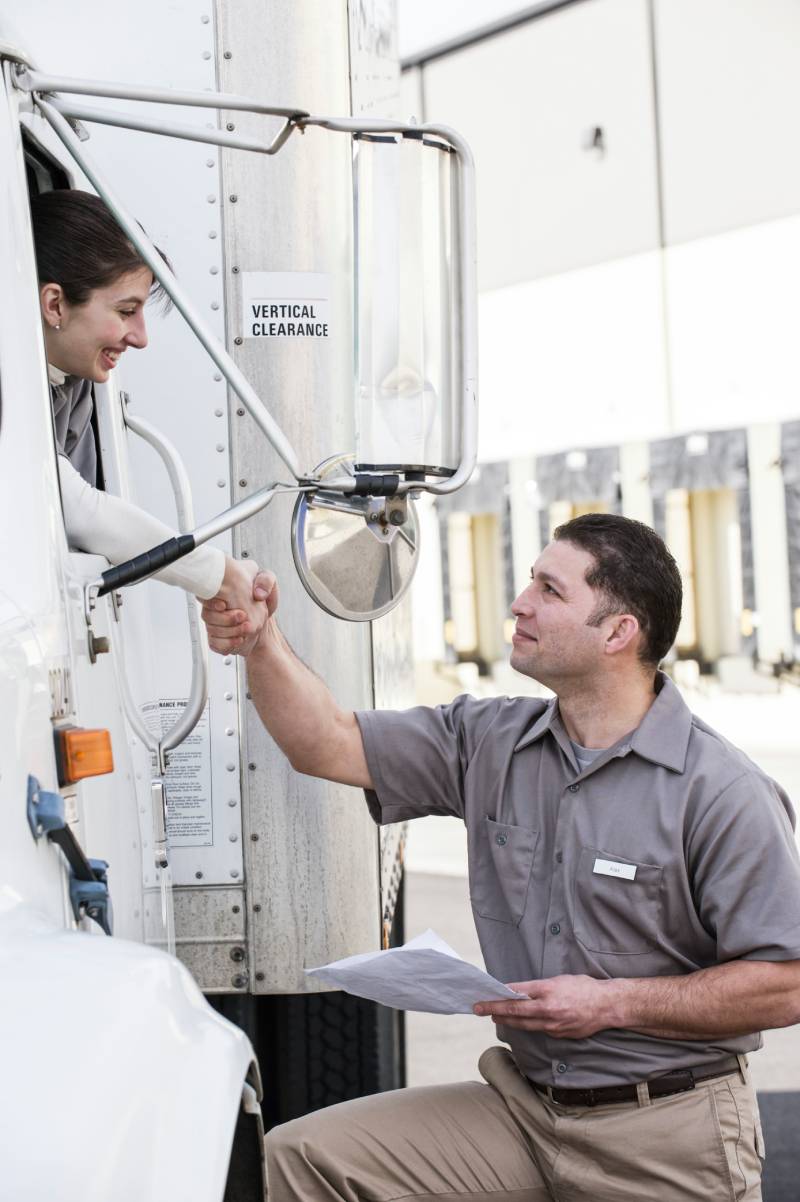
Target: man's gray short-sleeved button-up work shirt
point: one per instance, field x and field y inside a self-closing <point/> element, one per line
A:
<point x="671" y="853"/>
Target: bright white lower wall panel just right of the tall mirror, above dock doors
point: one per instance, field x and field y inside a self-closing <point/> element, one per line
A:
<point x="574" y="360"/>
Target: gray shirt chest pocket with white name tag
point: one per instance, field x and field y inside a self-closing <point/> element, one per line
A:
<point x="617" y="903"/>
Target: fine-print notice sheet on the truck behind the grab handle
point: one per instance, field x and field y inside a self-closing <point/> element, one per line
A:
<point x="189" y="776"/>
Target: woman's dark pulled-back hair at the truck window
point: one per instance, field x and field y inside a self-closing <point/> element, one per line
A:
<point x="81" y="247"/>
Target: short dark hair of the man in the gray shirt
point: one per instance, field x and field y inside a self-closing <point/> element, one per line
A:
<point x="634" y="573"/>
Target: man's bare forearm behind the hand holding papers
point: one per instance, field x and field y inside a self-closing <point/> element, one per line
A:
<point x="726" y="1001"/>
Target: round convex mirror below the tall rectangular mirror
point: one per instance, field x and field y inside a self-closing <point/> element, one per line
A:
<point x="355" y="566"/>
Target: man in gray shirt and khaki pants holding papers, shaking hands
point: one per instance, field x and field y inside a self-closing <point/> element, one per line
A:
<point x="631" y="872"/>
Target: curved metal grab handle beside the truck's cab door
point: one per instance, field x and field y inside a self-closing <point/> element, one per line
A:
<point x="182" y="491"/>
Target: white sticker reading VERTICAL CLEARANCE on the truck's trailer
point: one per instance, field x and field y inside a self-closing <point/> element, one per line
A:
<point x="286" y="305"/>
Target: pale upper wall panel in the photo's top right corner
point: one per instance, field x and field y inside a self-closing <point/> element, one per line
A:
<point x="730" y="92"/>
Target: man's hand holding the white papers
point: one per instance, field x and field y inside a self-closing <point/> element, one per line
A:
<point x="569" y="1008"/>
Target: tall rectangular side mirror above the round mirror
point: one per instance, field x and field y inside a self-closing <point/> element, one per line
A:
<point x="409" y="319"/>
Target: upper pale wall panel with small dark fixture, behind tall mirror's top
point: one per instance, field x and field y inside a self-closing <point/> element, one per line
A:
<point x="527" y="102"/>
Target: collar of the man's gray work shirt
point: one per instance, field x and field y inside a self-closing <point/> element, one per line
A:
<point x="662" y="736"/>
